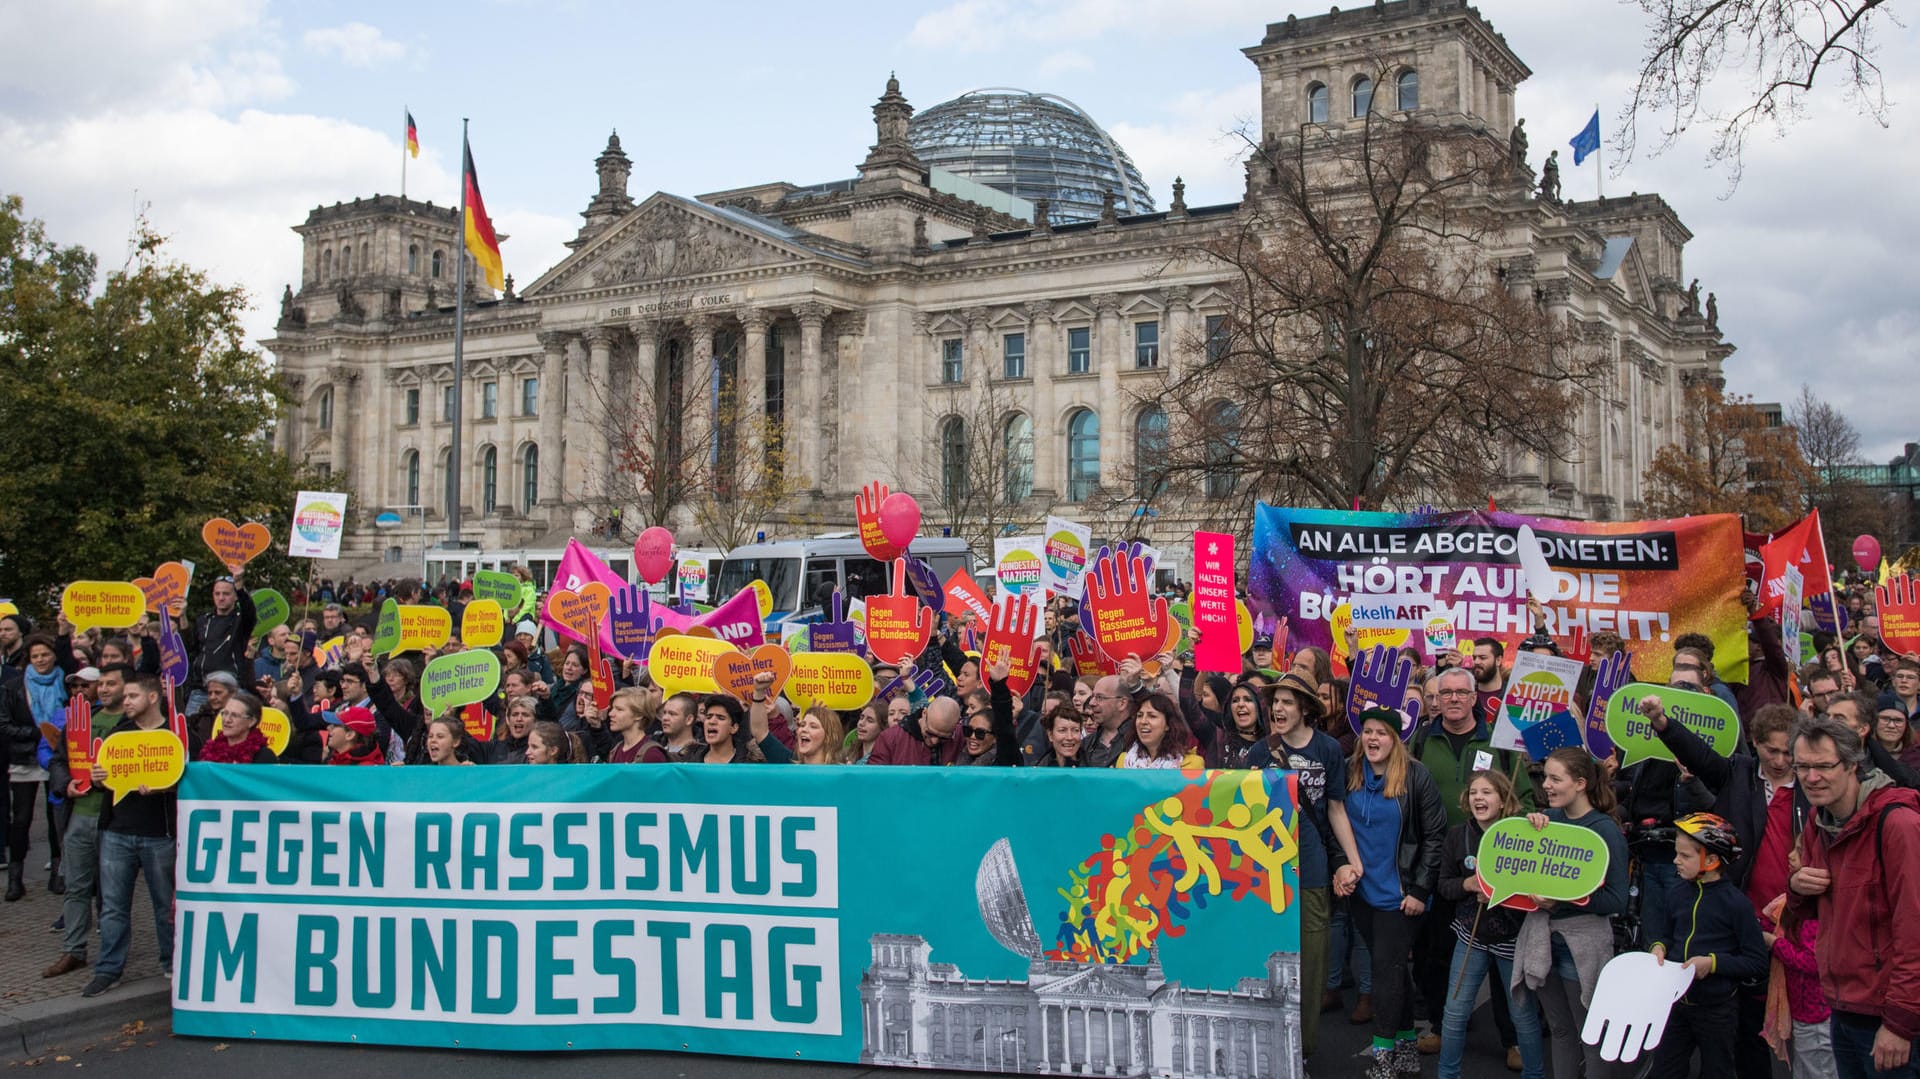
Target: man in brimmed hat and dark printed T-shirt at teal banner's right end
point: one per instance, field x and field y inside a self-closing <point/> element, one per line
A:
<point x="1326" y="836"/>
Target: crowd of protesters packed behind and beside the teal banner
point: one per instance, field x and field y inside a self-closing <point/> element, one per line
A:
<point x="1785" y="876"/>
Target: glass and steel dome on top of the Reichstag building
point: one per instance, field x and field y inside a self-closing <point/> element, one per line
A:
<point x="1032" y="147"/>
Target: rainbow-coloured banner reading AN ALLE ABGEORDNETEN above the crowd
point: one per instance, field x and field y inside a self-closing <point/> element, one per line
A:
<point x="1646" y="581"/>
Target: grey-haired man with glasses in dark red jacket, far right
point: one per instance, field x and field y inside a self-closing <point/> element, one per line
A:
<point x="1861" y="878"/>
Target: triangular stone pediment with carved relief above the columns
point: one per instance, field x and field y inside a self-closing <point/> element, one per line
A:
<point x="663" y="241"/>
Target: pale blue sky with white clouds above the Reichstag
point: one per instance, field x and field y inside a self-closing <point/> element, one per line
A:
<point x="229" y="120"/>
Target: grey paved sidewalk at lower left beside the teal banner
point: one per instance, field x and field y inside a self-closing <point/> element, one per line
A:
<point x="41" y="1007"/>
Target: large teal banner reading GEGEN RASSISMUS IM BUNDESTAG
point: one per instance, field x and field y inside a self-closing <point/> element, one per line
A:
<point x="1007" y="921"/>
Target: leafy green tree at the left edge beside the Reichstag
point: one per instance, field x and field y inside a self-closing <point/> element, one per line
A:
<point x="132" y="412"/>
